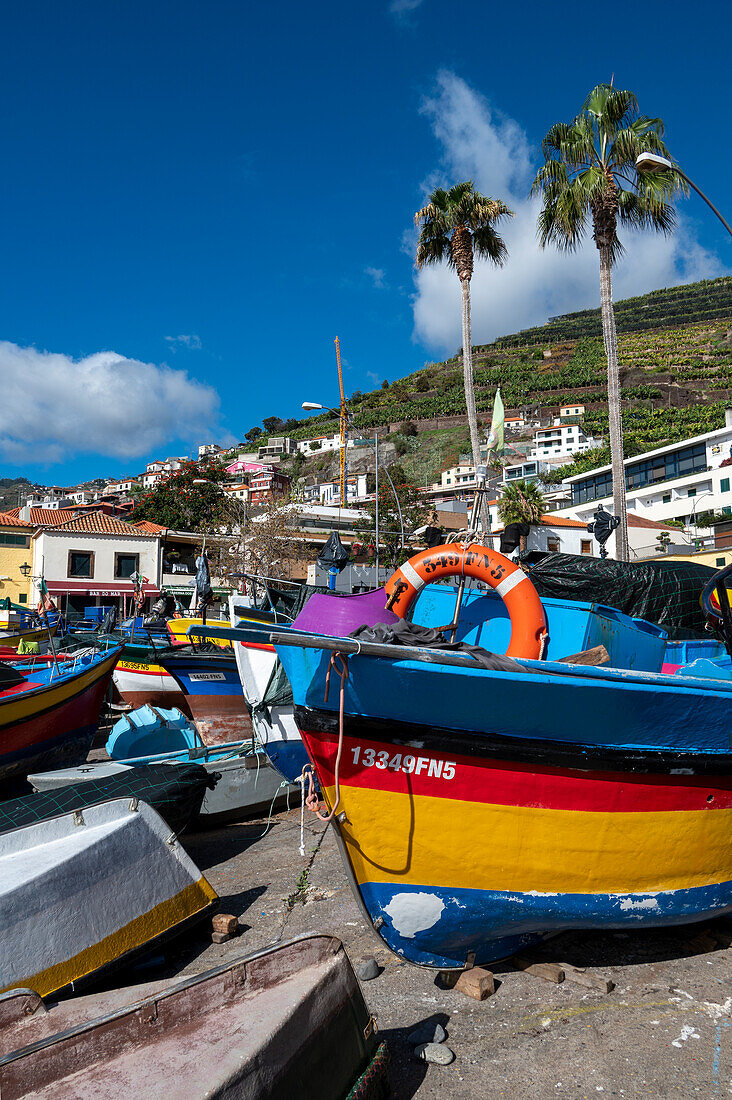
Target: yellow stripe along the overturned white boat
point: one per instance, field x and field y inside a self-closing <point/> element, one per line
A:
<point x="192" y="900"/>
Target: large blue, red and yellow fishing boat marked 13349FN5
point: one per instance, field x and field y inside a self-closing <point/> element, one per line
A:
<point x="480" y="809"/>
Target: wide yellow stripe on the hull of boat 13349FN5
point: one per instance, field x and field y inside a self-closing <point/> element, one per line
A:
<point x="431" y="842"/>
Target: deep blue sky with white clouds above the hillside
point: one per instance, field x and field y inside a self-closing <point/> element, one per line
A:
<point x="198" y="199"/>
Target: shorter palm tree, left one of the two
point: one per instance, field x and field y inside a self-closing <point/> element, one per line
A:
<point x="457" y="226"/>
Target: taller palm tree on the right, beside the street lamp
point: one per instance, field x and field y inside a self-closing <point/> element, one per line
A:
<point x="589" y="175"/>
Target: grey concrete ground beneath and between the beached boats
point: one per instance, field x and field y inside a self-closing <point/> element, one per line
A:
<point x="664" y="1031"/>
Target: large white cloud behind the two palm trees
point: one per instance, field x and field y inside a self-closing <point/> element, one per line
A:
<point x="479" y="144"/>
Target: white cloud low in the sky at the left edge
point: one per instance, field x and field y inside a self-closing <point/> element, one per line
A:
<point x="56" y="406"/>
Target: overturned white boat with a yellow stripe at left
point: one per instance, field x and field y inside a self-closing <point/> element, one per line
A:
<point x="93" y="887"/>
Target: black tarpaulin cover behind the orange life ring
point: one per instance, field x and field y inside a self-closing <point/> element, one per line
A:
<point x="668" y="593"/>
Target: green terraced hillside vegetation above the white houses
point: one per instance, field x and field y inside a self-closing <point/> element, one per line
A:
<point x="676" y="375"/>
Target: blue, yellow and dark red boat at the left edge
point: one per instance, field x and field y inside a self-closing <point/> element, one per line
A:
<point x="50" y="712"/>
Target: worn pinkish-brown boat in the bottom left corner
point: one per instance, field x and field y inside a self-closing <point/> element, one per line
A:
<point x="286" y="1022"/>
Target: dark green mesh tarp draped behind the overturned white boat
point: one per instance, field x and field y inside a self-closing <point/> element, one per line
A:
<point x="176" y="791"/>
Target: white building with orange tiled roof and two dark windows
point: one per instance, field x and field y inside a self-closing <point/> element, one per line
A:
<point x="90" y="560"/>
